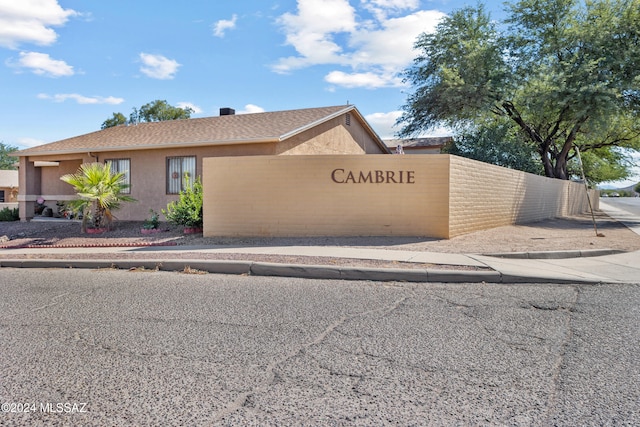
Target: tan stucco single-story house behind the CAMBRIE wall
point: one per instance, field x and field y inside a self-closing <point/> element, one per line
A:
<point x="155" y="156"/>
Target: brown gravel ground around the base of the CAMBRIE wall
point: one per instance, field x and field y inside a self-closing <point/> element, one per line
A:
<point x="550" y="235"/>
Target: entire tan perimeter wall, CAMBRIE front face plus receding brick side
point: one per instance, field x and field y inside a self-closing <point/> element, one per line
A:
<point x="438" y="196"/>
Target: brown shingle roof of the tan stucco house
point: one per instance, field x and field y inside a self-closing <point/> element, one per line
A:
<point x="234" y="129"/>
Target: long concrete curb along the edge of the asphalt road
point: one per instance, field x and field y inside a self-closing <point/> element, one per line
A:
<point x="291" y="270"/>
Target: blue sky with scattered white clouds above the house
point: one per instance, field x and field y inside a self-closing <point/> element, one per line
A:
<point x="67" y="65"/>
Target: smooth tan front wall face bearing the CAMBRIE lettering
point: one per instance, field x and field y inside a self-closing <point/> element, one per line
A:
<point x="317" y="196"/>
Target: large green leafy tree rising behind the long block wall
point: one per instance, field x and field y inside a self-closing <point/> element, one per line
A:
<point x="563" y="73"/>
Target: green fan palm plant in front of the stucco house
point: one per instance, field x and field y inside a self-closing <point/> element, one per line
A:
<point x="99" y="193"/>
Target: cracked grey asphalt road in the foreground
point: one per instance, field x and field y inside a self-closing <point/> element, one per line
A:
<point x="82" y="347"/>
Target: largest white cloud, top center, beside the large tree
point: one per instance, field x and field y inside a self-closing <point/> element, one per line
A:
<point x="375" y="50"/>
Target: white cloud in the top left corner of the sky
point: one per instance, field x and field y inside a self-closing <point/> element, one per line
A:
<point x="30" y="21"/>
